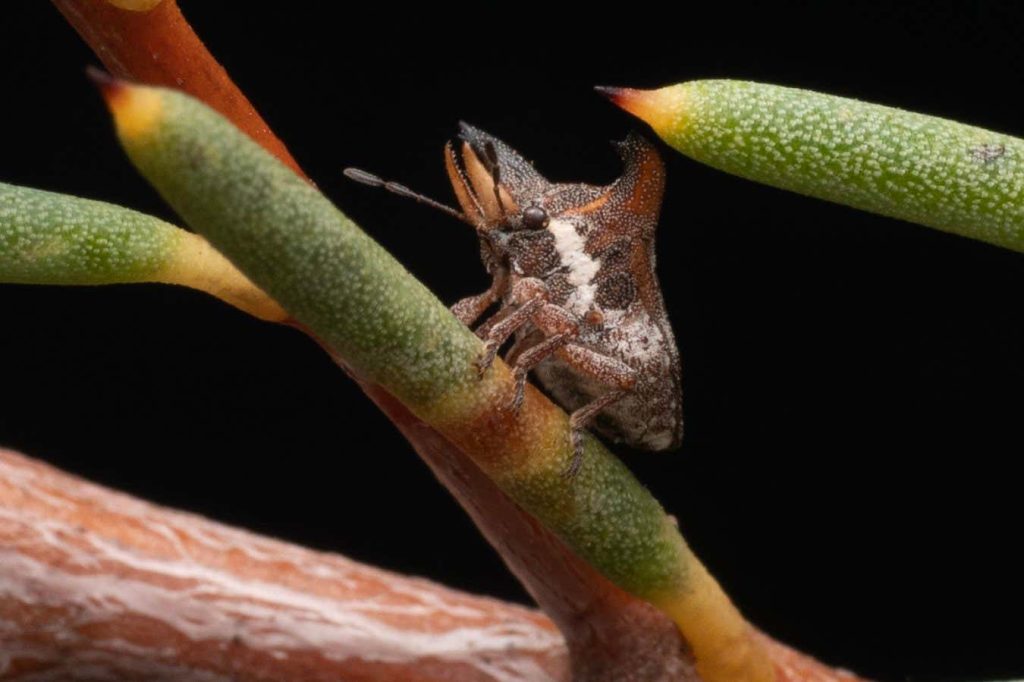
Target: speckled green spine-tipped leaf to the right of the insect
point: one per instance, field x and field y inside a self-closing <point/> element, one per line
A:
<point x="925" y="169"/>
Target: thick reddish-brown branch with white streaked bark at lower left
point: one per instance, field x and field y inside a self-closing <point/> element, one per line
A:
<point x="98" y="585"/>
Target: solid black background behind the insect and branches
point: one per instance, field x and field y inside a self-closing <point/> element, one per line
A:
<point x="852" y="383"/>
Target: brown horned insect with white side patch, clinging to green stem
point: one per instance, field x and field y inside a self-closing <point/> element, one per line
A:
<point x="573" y="269"/>
